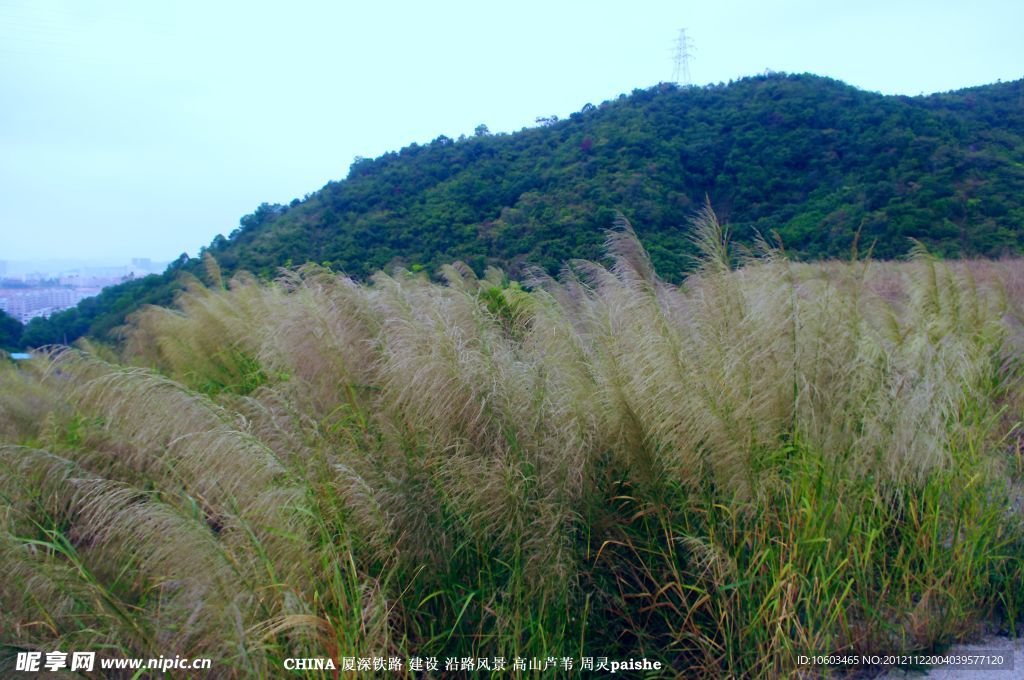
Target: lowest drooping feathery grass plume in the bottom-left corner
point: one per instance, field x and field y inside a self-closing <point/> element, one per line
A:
<point x="114" y="525"/>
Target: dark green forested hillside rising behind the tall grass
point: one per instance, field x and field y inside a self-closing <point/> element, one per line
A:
<point x="822" y="163"/>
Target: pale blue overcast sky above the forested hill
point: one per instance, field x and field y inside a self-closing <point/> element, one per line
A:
<point x="145" y="129"/>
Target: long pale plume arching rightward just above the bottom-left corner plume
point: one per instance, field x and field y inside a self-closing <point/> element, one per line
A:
<point x="237" y="481"/>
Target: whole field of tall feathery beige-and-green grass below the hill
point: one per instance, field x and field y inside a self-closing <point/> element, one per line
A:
<point x="769" y="460"/>
